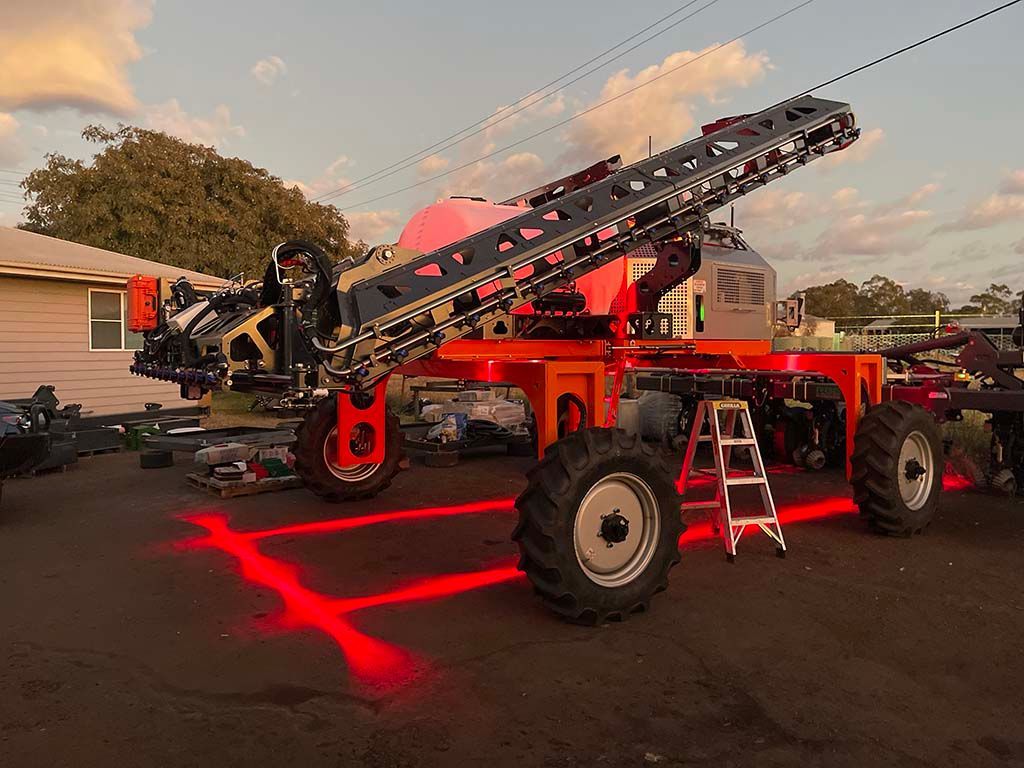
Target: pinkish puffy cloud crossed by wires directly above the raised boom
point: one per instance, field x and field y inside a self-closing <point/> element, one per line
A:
<point x="664" y="109"/>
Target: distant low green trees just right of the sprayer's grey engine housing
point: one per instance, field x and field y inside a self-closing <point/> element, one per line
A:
<point x="880" y="295"/>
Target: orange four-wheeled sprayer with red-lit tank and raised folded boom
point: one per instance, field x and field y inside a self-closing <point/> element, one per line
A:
<point x="608" y="271"/>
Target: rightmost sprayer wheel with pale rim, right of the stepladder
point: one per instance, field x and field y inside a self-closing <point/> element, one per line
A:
<point x="898" y="468"/>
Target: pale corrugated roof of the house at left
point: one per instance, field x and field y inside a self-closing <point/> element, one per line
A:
<point x="21" y="249"/>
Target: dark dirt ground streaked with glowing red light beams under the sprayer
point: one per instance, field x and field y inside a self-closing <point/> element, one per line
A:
<point x="127" y="643"/>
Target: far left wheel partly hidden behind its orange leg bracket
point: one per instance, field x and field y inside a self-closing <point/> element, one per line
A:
<point x="316" y="458"/>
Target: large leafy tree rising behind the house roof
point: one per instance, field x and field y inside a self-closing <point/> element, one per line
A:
<point x="156" y="197"/>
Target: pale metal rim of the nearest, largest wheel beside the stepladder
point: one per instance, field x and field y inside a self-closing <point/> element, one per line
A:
<point x="628" y="497"/>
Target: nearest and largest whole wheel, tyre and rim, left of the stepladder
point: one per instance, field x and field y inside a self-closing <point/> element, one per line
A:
<point x="600" y="526"/>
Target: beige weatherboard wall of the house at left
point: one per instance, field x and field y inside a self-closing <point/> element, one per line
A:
<point x="45" y="339"/>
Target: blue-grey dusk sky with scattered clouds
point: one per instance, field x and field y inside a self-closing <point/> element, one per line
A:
<point x="325" y="94"/>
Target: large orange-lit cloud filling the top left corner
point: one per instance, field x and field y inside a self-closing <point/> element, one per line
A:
<point x="71" y="54"/>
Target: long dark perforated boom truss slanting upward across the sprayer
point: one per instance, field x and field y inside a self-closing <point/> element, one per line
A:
<point x="409" y="311"/>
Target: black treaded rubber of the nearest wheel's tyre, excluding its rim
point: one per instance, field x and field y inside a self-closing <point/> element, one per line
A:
<point x="548" y="510"/>
